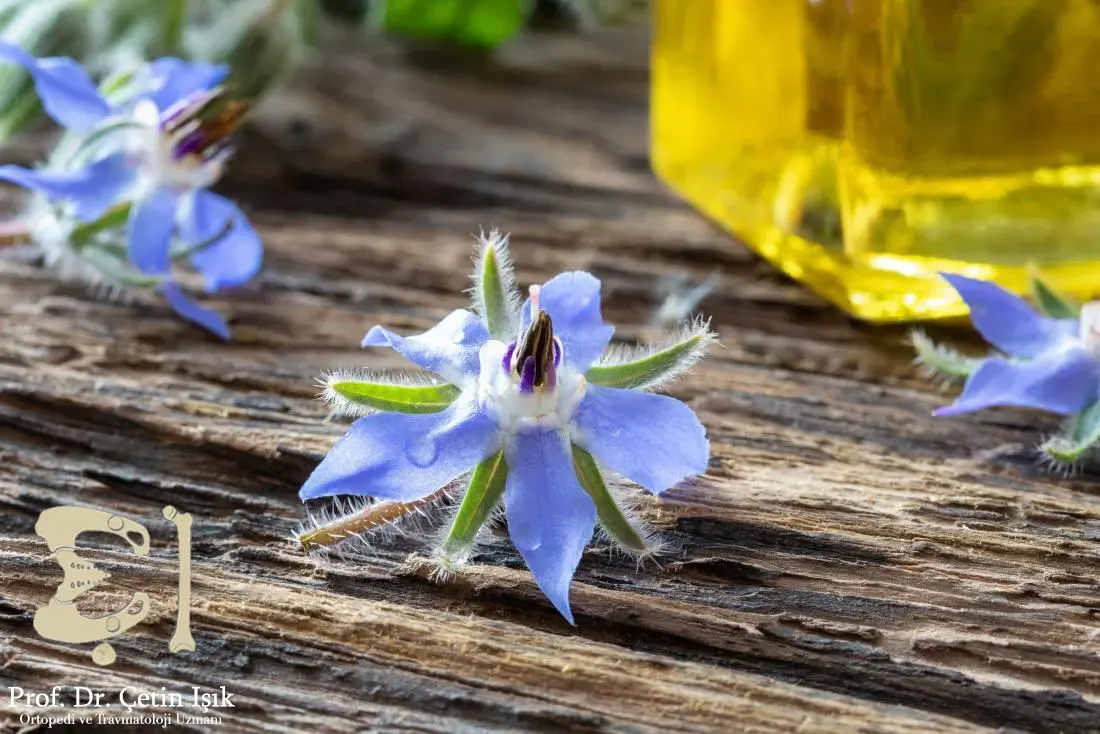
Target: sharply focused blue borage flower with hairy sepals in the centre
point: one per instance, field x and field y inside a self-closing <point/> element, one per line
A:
<point x="531" y="400"/>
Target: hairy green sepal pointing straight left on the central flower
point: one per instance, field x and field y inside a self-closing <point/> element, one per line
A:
<point x="366" y="392"/>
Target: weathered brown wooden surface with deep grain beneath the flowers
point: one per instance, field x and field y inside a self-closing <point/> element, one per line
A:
<point x="849" y="564"/>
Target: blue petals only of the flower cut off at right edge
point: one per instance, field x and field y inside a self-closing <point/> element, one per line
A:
<point x="1051" y="364"/>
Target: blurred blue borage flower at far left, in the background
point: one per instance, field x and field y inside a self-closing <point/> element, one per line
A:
<point x="140" y="156"/>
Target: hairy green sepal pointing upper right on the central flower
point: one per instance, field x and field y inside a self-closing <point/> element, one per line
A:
<point x="640" y="368"/>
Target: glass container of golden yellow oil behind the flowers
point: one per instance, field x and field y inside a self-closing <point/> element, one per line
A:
<point x="866" y="146"/>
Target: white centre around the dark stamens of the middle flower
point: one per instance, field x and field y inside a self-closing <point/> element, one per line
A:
<point x="516" y="411"/>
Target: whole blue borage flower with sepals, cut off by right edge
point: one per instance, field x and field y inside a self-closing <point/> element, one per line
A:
<point x="1049" y="361"/>
